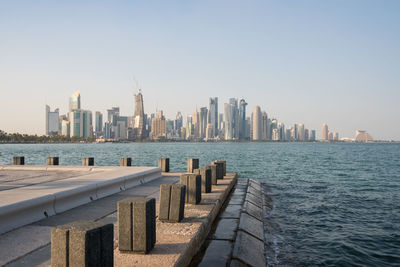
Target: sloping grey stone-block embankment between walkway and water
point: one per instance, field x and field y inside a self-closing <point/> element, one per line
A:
<point x="237" y="238"/>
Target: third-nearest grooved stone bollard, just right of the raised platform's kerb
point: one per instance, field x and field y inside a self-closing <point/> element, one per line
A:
<point x="172" y="202"/>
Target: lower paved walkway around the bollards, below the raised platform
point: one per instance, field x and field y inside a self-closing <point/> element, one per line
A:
<point x="176" y="243"/>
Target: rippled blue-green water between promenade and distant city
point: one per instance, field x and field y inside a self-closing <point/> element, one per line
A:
<point x="332" y="204"/>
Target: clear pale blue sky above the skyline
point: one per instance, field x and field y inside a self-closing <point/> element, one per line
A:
<point x="302" y="61"/>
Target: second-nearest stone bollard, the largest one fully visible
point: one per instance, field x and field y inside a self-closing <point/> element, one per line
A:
<point x="137" y="224"/>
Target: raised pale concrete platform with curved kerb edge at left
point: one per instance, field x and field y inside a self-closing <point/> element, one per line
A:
<point x="32" y="193"/>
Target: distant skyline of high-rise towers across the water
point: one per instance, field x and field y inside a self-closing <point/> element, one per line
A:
<point x="233" y="124"/>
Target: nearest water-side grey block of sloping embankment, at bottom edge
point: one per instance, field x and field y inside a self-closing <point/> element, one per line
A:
<point x="249" y="250"/>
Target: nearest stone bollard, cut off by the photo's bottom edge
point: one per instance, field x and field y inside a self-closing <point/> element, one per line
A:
<point x="82" y="244"/>
